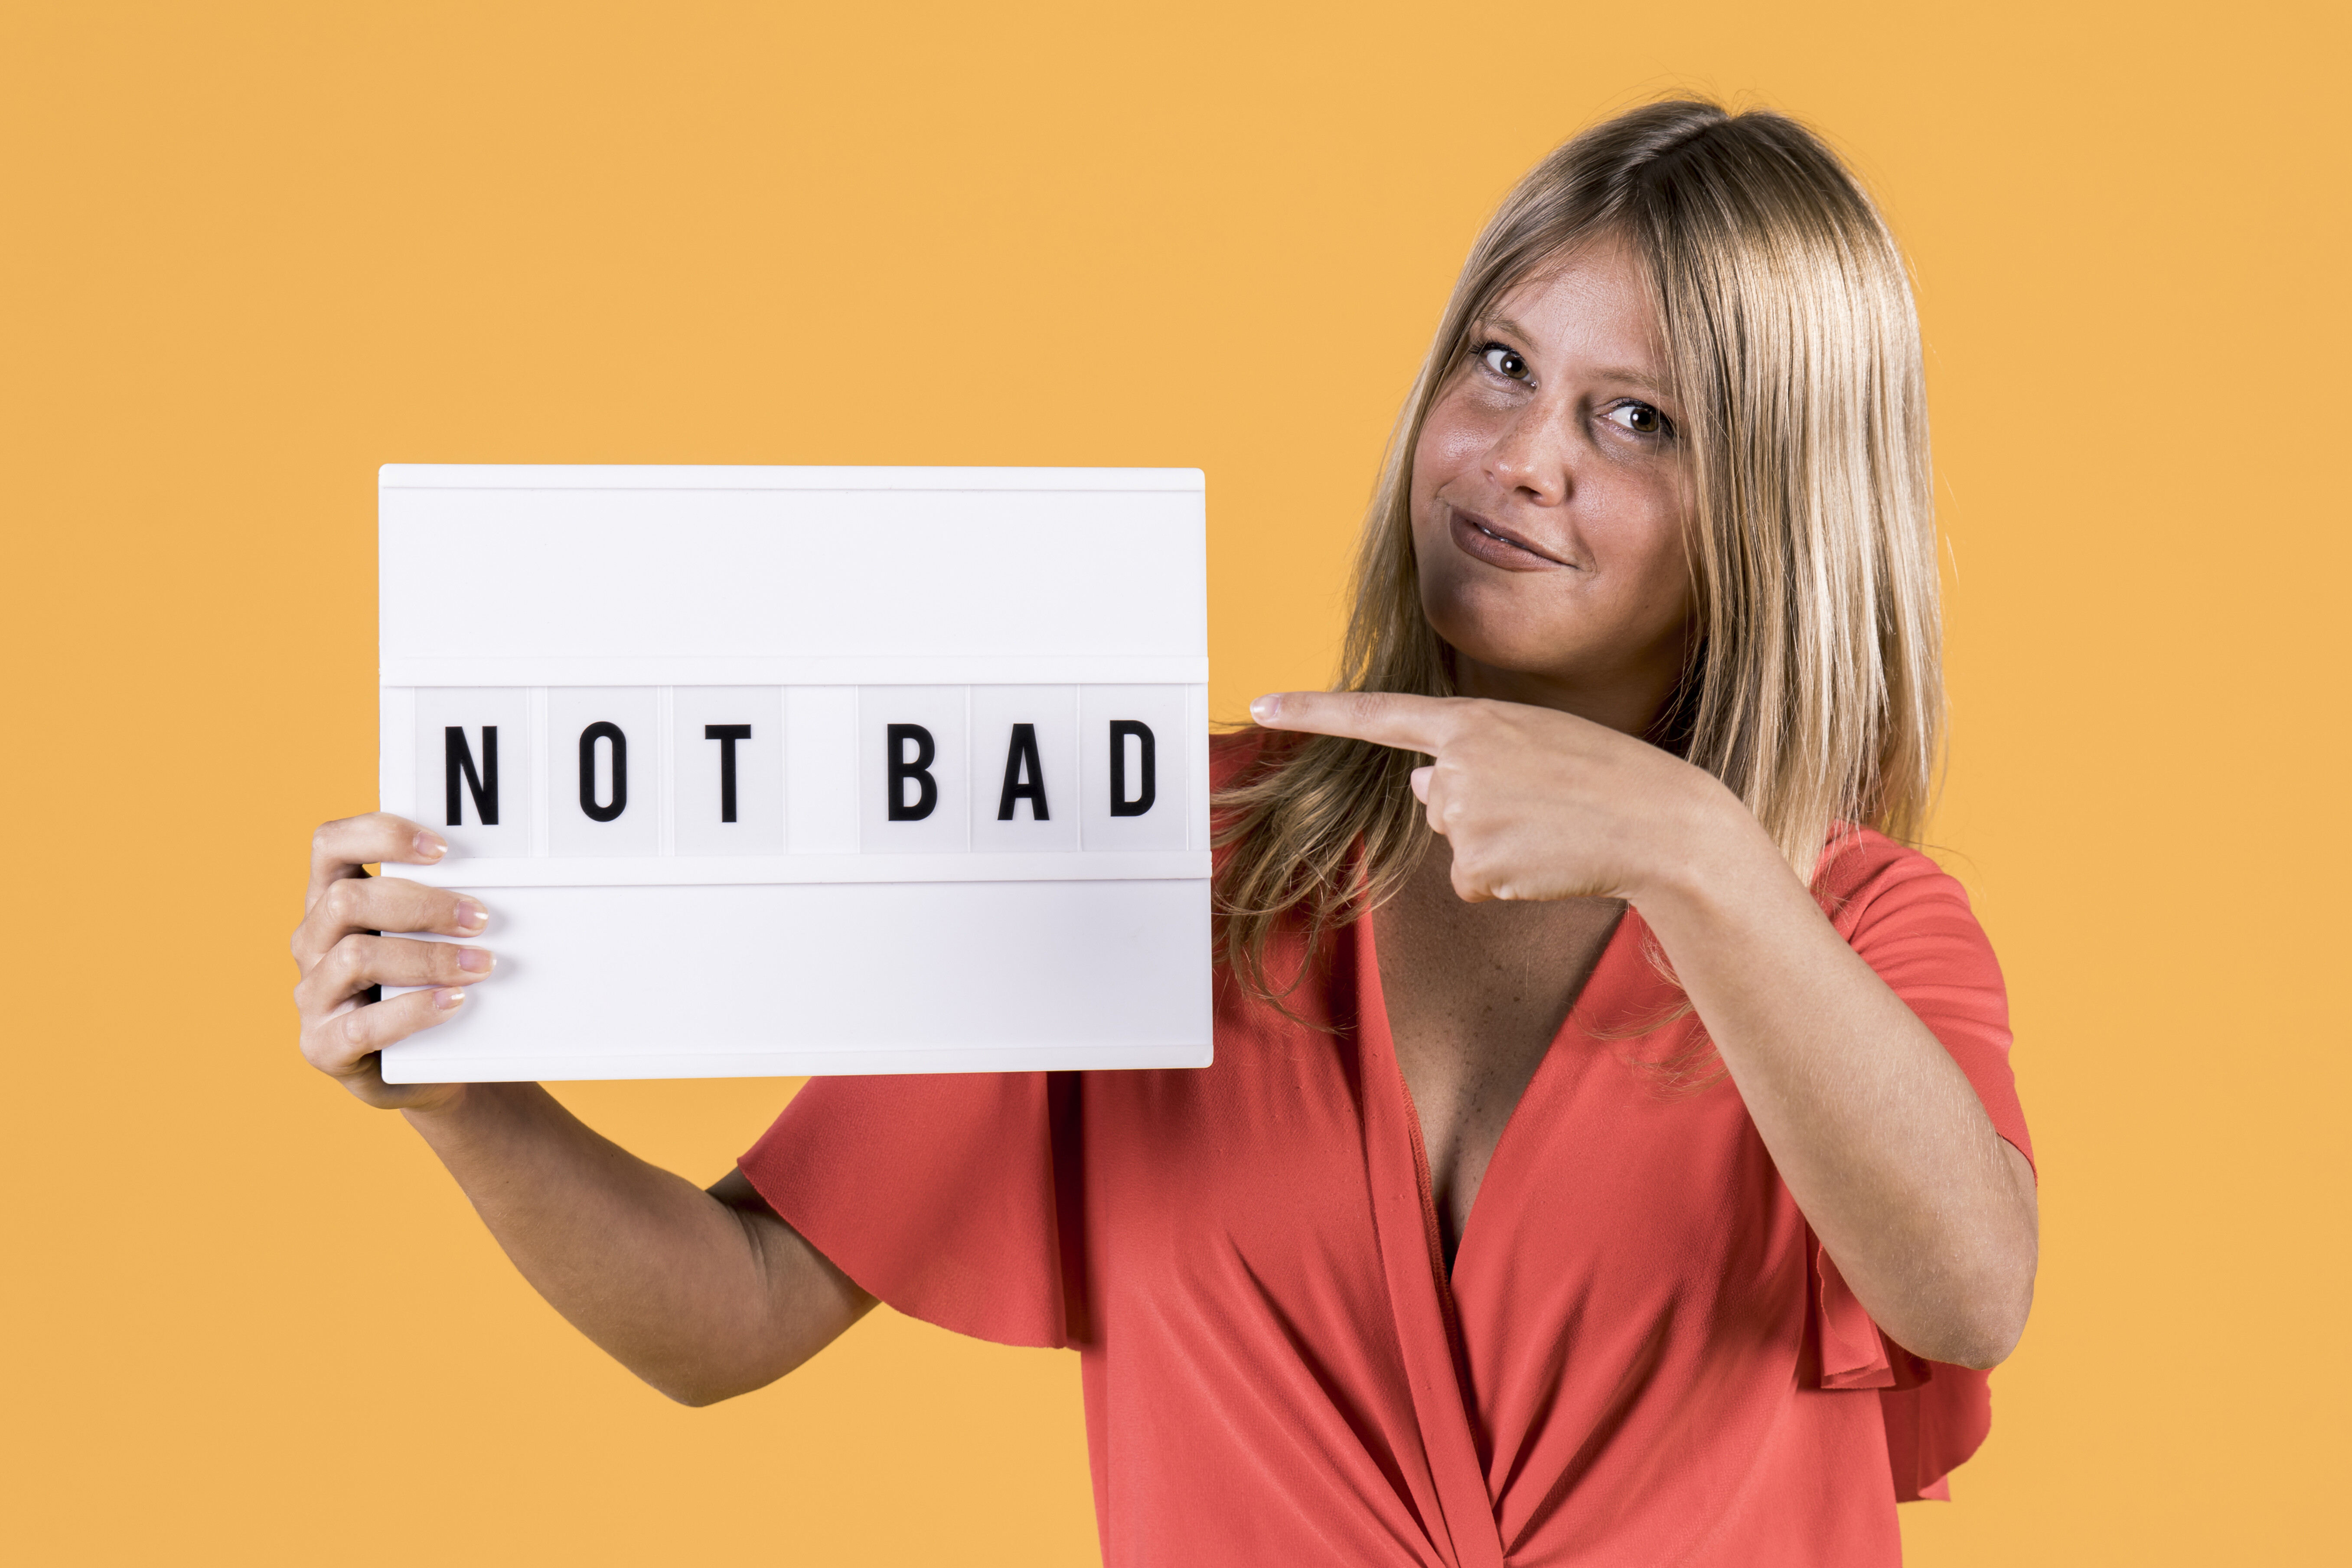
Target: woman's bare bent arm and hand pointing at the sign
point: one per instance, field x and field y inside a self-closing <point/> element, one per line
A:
<point x="1876" y="1130"/>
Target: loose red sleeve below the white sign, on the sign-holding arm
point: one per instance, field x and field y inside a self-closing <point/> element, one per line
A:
<point x="937" y="1193"/>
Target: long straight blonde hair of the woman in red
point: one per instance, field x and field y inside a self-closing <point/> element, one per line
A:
<point x="1815" y="683"/>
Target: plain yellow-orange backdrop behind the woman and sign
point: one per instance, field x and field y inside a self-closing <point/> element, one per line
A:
<point x="253" y="253"/>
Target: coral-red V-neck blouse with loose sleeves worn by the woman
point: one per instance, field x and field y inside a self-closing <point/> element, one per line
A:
<point x="1641" y="1358"/>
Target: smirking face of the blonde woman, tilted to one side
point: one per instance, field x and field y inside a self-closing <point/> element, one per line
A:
<point x="1549" y="500"/>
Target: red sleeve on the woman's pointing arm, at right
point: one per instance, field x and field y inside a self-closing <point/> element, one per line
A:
<point x="1913" y="925"/>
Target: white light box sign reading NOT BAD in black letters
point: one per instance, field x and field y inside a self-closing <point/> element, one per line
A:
<point x="806" y="770"/>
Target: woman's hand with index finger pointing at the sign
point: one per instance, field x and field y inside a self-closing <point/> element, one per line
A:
<point x="1535" y="803"/>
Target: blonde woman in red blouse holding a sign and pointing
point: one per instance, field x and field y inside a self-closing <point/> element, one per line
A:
<point x="1610" y="1153"/>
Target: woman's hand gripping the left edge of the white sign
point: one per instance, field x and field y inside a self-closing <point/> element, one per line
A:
<point x="345" y="956"/>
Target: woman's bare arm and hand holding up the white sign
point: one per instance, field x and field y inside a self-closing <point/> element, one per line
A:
<point x="702" y="1294"/>
